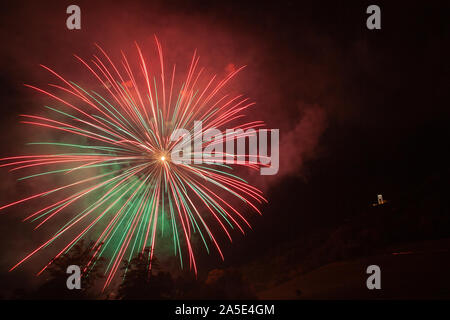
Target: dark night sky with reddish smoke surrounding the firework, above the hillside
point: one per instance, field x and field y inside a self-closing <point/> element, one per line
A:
<point x="370" y="105"/>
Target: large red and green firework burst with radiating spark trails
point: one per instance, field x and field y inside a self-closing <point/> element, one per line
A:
<point x="126" y="139"/>
